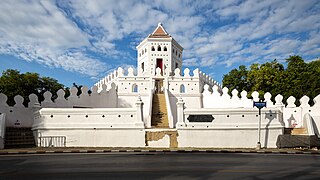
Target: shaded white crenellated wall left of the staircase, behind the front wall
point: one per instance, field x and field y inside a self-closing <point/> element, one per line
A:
<point x="21" y="116"/>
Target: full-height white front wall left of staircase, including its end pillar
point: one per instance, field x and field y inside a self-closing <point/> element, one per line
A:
<point x="98" y="127"/>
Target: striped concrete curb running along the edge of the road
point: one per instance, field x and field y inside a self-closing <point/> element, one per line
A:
<point x="15" y="152"/>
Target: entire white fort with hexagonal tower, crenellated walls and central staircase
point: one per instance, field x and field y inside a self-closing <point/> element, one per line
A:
<point x="160" y="105"/>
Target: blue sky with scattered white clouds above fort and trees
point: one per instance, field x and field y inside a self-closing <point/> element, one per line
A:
<point x="82" y="41"/>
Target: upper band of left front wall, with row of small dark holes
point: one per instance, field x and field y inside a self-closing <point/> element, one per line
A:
<point x="86" y="118"/>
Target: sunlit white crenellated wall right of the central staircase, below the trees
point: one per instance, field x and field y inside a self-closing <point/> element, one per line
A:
<point x="292" y="114"/>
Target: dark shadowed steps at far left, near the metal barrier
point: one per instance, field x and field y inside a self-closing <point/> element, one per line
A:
<point x="19" y="138"/>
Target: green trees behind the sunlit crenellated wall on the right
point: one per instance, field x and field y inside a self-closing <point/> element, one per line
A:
<point x="297" y="79"/>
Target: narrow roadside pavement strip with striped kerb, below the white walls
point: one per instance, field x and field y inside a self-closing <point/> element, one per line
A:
<point x="52" y="150"/>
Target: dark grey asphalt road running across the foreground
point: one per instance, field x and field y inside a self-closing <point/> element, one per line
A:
<point x="160" y="166"/>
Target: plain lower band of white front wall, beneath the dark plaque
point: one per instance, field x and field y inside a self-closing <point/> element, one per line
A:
<point x="227" y="138"/>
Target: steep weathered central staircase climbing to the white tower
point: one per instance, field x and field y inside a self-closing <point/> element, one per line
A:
<point x="159" y="112"/>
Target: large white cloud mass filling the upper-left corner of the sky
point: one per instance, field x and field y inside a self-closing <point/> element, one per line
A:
<point x="38" y="31"/>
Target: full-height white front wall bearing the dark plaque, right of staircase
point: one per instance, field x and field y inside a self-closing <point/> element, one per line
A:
<point x="231" y="128"/>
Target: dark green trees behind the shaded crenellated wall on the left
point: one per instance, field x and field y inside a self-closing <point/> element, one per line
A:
<point x="13" y="83"/>
